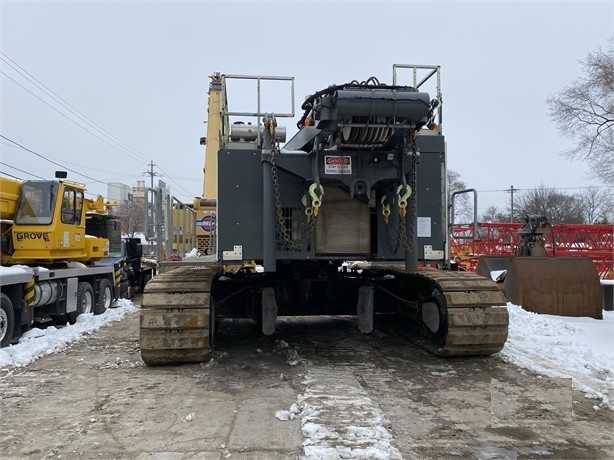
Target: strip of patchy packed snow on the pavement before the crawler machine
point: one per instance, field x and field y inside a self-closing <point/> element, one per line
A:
<point x="339" y="420"/>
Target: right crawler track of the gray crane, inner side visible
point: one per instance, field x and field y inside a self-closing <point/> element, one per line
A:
<point x="471" y="318"/>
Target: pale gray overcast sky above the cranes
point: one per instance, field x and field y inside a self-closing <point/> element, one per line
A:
<point x="139" y="71"/>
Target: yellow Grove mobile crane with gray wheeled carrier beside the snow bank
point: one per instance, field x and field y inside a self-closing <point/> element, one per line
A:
<point x="57" y="253"/>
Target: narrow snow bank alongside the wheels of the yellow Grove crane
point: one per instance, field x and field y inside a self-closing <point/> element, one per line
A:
<point x="36" y="343"/>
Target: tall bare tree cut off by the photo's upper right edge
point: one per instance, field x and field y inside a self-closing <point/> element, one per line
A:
<point x="584" y="112"/>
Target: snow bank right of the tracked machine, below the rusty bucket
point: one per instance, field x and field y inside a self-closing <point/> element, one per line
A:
<point x="556" y="346"/>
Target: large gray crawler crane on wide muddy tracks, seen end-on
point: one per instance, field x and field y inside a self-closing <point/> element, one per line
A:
<point x="363" y="181"/>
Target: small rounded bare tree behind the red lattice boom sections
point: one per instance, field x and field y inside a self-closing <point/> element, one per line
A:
<point x="558" y="207"/>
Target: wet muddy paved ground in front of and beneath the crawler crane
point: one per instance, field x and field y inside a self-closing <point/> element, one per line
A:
<point x="375" y="395"/>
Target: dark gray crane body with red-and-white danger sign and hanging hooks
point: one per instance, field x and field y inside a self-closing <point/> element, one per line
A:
<point x="360" y="143"/>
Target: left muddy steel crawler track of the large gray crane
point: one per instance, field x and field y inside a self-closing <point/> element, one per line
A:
<point x="174" y="322"/>
